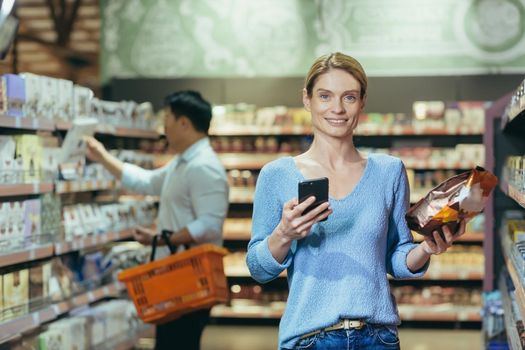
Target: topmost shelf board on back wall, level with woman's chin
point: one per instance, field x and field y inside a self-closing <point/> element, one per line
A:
<point x="362" y="130"/>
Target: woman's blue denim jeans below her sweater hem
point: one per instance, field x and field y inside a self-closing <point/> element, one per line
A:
<point x="369" y="337"/>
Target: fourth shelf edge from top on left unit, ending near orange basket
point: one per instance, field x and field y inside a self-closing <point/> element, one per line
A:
<point x="27" y="322"/>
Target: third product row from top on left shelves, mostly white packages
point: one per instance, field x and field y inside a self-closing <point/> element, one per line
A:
<point x="31" y="222"/>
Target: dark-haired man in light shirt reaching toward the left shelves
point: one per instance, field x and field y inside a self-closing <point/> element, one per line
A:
<point x="193" y="191"/>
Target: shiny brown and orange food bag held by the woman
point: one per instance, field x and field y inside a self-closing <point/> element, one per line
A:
<point x="460" y="197"/>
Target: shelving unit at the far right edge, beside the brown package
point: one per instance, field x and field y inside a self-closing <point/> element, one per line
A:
<point x="504" y="138"/>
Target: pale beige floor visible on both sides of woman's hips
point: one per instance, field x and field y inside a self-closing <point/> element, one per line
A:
<point x="265" y="338"/>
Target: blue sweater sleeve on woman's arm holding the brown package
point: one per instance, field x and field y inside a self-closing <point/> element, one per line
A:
<point x="400" y="241"/>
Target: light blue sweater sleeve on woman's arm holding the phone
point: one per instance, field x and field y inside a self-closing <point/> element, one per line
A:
<point x="267" y="212"/>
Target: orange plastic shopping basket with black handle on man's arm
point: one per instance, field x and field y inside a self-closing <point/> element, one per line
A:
<point x="165" y="289"/>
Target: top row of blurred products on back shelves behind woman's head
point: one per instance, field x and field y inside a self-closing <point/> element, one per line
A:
<point x="464" y="117"/>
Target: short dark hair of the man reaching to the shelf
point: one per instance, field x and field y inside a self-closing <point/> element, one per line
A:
<point x="192" y="105"/>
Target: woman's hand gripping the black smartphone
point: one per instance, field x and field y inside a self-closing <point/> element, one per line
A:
<point x="294" y="225"/>
